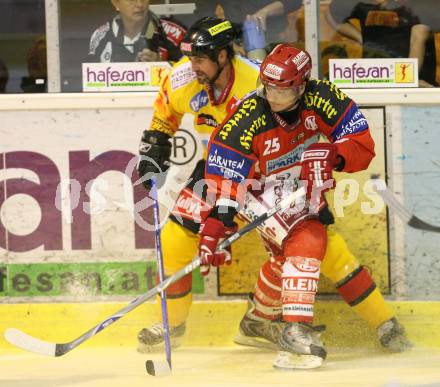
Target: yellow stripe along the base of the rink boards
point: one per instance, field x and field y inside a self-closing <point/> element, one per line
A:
<point x="210" y="323"/>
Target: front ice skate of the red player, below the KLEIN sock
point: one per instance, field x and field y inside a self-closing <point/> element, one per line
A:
<point x="301" y="347"/>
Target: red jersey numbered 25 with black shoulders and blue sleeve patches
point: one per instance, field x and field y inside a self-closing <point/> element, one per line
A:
<point x="255" y="143"/>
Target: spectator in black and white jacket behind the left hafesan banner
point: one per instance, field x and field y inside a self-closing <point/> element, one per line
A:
<point x="136" y="34"/>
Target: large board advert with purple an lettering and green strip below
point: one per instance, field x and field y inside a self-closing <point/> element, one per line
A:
<point x="73" y="221"/>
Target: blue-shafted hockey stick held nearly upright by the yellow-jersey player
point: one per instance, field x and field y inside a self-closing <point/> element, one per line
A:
<point x="159" y="367"/>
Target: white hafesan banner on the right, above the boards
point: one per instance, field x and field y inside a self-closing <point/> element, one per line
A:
<point x="374" y="72"/>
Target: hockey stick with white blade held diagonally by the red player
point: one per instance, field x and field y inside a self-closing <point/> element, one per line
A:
<point x="29" y="343"/>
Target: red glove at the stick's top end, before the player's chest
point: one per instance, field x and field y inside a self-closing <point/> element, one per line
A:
<point x="318" y="162"/>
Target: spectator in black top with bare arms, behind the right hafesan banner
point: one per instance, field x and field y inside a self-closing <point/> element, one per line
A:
<point x="385" y="28"/>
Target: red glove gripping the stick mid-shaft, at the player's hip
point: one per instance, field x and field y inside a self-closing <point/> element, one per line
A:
<point x="212" y="232"/>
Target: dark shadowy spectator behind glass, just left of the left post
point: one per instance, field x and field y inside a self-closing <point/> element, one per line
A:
<point x="36" y="82"/>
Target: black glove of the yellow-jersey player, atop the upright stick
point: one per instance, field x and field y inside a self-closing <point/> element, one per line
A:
<point x="154" y="157"/>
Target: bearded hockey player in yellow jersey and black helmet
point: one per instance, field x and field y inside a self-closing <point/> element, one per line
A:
<point x="207" y="83"/>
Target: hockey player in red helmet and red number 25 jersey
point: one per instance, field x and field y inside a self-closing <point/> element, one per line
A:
<point x="273" y="137"/>
